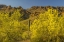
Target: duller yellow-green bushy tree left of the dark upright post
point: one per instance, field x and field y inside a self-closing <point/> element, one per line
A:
<point x="11" y="28"/>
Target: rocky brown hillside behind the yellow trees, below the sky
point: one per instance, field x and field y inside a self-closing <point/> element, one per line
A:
<point x="30" y="12"/>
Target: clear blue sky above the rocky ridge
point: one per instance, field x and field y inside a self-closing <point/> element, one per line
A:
<point x="29" y="3"/>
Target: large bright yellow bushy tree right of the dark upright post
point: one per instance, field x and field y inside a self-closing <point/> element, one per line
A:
<point x="45" y="27"/>
